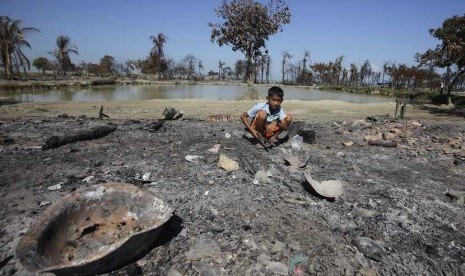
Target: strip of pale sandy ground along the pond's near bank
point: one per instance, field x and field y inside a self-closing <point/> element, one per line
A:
<point x="310" y="111"/>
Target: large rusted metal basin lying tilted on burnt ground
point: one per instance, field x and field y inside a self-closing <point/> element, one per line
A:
<point x="93" y="230"/>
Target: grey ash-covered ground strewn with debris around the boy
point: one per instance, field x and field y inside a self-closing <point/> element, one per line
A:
<point x="401" y="213"/>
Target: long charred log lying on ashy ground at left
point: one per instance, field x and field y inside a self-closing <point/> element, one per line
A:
<point x="82" y="135"/>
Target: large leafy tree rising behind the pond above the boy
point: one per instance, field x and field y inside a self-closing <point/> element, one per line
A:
<point x="247" y="25"/>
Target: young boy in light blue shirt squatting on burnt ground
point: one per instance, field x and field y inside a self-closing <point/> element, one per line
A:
<point x="269" y="118"/>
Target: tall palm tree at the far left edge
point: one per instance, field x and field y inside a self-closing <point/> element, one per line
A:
<point x="11" y="42"/>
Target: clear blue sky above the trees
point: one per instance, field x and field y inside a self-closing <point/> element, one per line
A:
<point x="378" y="30"/>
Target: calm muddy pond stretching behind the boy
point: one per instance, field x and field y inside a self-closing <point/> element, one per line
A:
<point x="172" y="91"/>
